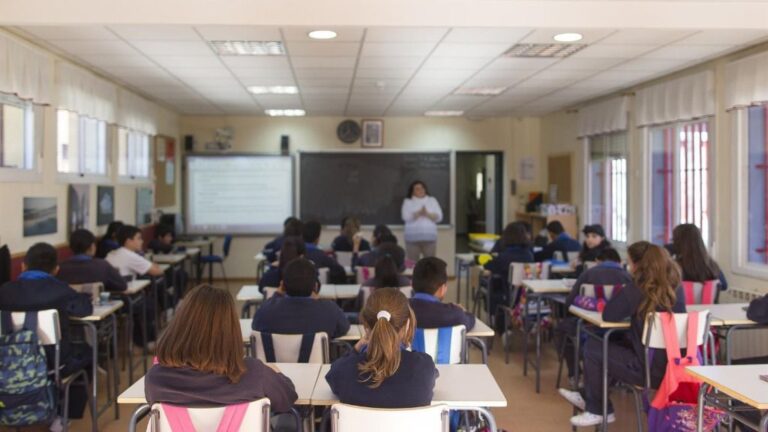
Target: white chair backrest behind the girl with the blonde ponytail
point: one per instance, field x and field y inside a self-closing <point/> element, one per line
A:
<point x="350" y="418"/>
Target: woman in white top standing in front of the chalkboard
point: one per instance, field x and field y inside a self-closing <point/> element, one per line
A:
<point x="421" y="214"/>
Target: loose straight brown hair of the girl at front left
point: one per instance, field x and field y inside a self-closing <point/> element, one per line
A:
<point x="204" y="335"/>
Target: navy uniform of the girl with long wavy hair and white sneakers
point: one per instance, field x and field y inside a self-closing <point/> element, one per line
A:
<point x="626" y="361"/>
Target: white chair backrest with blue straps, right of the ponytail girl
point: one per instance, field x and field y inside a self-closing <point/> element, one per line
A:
<point x="445" y="345"/>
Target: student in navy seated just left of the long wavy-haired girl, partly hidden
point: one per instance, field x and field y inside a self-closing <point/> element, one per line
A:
<point x="608" y="271"/>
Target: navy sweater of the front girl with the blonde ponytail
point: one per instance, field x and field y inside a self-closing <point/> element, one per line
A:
<point x="411" y="386"/>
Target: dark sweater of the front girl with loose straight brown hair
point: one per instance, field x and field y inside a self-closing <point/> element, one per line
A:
<point x="193" y="388"/>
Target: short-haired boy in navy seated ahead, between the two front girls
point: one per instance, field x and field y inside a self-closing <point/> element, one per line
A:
<point x="295" y="308"/>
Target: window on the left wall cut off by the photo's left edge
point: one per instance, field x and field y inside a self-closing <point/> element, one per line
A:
<point x="17" y="143"/>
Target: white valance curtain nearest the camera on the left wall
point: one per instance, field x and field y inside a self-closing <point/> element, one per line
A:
<point x="24" y="70"/>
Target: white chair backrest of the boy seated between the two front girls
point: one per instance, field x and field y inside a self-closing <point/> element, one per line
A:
<point x="287" y="348"/>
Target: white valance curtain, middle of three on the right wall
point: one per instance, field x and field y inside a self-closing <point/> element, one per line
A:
<point x="682" y="98"/>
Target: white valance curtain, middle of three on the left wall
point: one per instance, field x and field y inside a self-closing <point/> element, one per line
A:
<point x="84" y="93"/>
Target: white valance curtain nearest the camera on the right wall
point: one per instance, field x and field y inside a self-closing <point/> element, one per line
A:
<point x="746" y="81"/>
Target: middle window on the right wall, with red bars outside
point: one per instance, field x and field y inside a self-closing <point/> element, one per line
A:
<point x="679" y="179"/>
